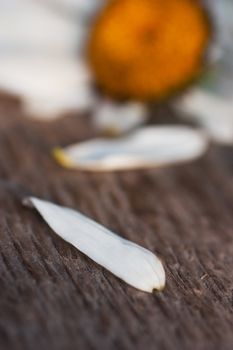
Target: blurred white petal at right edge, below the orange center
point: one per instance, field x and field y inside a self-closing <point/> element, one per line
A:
<point x="212" y="112"/>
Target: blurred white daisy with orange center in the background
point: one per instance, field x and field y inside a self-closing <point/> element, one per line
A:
<point x="42" y="58"/>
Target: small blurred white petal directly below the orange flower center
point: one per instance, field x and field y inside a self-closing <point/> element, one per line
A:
<point x="113" y="118"/>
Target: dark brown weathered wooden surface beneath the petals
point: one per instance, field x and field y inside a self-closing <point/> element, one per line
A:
<point x="53" y="297"/>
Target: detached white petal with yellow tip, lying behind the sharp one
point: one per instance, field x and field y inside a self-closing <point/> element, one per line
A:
<point x="148" y="147"/>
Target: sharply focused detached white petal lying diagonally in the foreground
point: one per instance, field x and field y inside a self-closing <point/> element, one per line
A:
<point x="135" y="265"/>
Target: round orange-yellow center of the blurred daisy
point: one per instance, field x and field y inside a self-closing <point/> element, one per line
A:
<point x="146" y="49"/>
